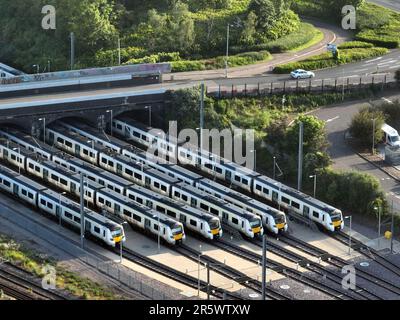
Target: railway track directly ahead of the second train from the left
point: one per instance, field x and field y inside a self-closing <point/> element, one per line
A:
<point x="230" y="273"/>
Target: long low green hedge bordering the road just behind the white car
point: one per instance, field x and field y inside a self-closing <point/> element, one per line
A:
<point x="326" y="60"/>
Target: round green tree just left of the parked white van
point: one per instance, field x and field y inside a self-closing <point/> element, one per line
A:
<point x="361" y="126"/>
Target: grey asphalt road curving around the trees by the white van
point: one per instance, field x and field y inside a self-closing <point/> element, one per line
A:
<point x="338" y="119"/>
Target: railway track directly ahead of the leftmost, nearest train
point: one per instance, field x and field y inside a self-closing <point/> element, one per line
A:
<point x="177" y="275"/>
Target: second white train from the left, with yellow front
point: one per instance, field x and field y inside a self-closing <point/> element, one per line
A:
<point x="136" y="214"/>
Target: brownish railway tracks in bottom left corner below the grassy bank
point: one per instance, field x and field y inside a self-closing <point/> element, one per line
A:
<point x="18" y="286"/>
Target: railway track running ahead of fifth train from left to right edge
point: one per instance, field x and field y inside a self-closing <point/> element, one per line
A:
<point x="338" y="262"/>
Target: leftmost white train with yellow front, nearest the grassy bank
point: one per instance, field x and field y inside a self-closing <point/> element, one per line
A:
<point x="50" y="202"/>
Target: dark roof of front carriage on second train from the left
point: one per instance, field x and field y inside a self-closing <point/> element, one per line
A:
<point x="138" y="207"/>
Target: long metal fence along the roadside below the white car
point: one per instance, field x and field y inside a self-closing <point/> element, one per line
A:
<point x="340" y="85"/>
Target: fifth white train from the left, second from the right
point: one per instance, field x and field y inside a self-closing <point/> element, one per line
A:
<point x="273" y="219"/>
